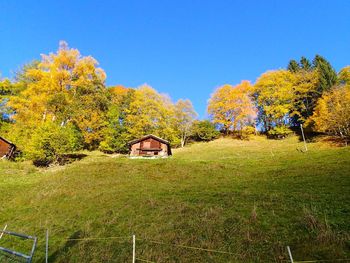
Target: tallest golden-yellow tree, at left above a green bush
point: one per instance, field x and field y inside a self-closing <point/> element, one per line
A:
<point x="63" y="88"/>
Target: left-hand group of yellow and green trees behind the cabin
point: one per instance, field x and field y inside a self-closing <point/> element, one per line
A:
<point x="61" y="104"/>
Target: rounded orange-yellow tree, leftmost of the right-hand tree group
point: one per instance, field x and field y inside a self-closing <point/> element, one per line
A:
<point x="231" y="107"/>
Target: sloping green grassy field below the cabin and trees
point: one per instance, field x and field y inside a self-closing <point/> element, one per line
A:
<point x="248" y="198"/>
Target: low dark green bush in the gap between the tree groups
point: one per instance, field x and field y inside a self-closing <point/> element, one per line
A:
<point x="204" y="131"/>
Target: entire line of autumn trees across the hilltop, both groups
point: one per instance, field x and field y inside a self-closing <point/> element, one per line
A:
<point x="61" y="104"/>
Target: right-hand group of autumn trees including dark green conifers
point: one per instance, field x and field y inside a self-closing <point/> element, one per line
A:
<point x="308" y="93"/>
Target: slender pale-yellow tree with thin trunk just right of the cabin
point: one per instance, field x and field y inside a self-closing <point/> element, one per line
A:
<point x="184" y="117"/>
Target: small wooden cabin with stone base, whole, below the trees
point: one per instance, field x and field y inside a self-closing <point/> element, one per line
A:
<point x="150" y="146"/>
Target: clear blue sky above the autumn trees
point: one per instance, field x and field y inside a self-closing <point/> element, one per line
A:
<point x="183" y="48"/>
